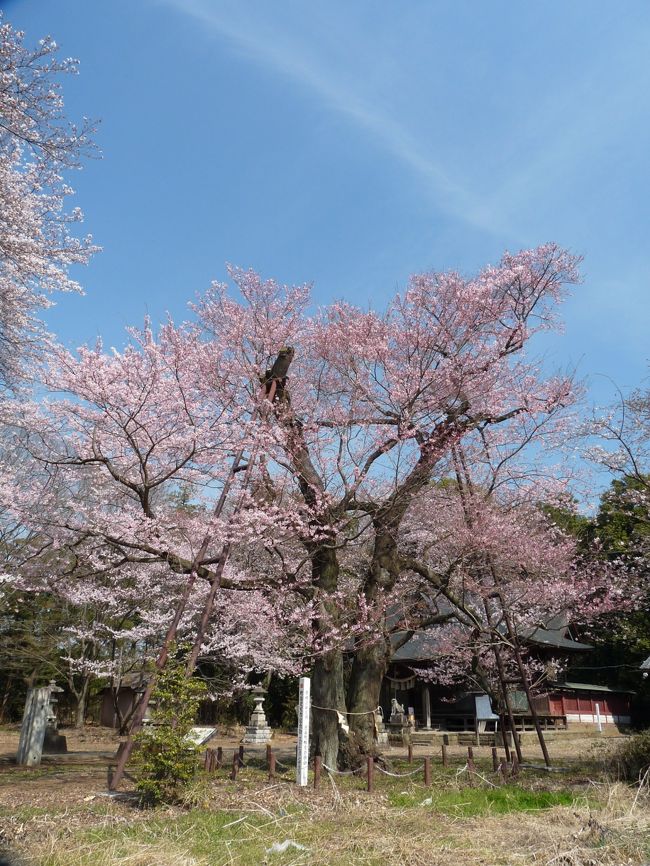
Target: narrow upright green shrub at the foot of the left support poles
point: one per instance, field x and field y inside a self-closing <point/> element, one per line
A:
<point x="167" y="762"/>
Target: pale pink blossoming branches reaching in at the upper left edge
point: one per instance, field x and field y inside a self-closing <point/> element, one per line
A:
<point x="37" y="146"/>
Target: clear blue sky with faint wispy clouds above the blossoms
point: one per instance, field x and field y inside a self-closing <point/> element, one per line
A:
<point x="352" y="144"/>
